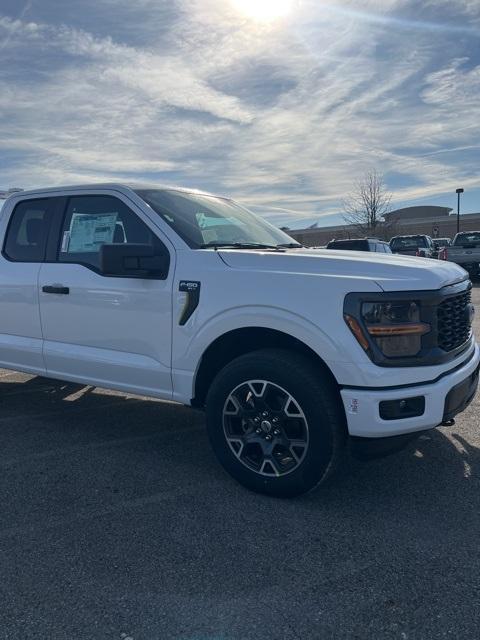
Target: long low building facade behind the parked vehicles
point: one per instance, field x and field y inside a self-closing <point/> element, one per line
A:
<point x="437" y="222"/>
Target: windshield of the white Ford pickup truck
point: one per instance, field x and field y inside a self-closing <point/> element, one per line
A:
<point x="203" y="221"/>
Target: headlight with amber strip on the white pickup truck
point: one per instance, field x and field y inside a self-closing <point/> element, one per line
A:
<point x="395" y="327"/>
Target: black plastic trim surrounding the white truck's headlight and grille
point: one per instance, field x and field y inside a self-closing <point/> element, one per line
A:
<point x="428" y="301"/>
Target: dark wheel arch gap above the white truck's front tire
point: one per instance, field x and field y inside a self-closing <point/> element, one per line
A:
<point x="240" y="341"/>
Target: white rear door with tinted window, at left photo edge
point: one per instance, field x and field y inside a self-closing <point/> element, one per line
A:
<point x="25" y="231"/>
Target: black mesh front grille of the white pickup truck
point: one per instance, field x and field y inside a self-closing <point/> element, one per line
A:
<point x="453" y="321"/>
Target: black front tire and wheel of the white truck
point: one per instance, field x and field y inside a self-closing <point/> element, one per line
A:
<point x="314" y="413"/>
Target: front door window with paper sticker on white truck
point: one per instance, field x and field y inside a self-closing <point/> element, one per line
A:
<point x="92" y="221"/>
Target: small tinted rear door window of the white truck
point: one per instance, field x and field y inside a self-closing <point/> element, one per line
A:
<point x="27" y="232"/>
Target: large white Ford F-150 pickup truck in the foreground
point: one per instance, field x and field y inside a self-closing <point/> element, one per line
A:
<point x="184" y="296"/>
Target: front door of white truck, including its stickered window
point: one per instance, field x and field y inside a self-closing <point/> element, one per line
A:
<point x="105" y="330"/>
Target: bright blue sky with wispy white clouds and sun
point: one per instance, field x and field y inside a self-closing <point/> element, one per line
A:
<point x="283" y="105"/>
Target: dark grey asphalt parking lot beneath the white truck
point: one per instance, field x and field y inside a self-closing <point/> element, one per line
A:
<point x="117" y="523"/>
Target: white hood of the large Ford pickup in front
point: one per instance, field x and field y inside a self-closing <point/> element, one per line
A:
<point x="392" y="272"/>
